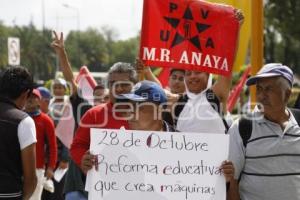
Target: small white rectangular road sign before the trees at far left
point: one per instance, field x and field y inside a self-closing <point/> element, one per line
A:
<point x="13" y="45"/>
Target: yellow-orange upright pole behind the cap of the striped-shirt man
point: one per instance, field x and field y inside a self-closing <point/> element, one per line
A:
<point x="257" y="27"/>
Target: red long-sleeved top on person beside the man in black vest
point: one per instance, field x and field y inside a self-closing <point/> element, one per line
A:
<point x="45" y="131"/>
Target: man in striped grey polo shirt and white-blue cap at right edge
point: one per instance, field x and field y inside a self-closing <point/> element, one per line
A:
<point x="267" y="164"/>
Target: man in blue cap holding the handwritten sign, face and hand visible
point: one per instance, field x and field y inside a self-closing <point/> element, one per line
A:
<point x="148" y="100"/>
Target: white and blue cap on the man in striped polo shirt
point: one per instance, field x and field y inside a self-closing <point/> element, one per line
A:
<point x="272" y="70"/>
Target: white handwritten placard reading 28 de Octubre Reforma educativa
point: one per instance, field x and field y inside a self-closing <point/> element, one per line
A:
<point x="152" y="165"/>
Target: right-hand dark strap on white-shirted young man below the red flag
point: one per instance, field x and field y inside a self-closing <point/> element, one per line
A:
<point x="216" y="105"/>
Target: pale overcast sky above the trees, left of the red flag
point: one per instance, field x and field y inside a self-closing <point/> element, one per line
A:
<point x="123" y="15"/>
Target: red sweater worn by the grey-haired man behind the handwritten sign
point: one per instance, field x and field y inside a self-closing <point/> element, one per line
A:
<point x="100" y="116"/>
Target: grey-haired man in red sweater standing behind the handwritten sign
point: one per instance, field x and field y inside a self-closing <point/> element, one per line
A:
<point x="121" y="78"/>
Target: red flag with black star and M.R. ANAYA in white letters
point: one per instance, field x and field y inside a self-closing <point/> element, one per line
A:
<point x="189" y="34"/>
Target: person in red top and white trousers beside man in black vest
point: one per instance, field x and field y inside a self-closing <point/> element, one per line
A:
<point x="44" y="131"/>
